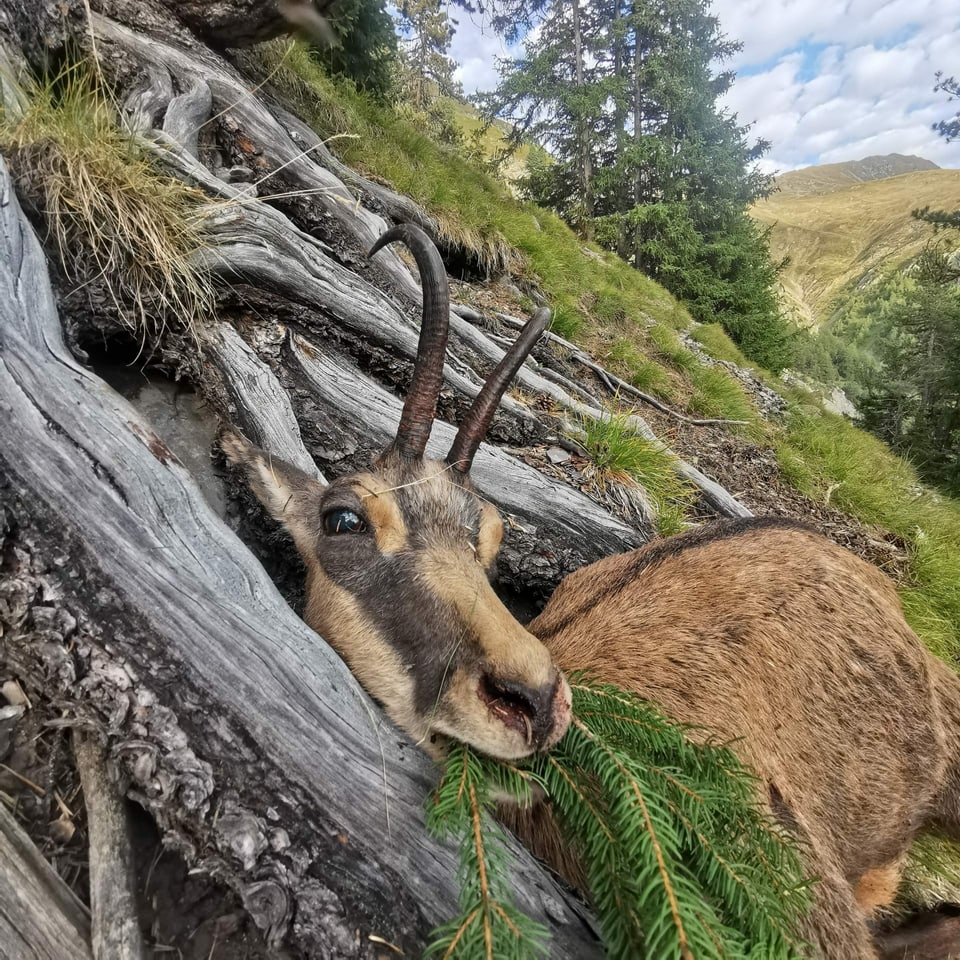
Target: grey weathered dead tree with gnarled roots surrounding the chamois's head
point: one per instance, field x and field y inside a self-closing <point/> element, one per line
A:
<point x="126" y="597"/>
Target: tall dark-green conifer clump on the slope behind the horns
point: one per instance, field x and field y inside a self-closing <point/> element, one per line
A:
<point x="623" y="94"/>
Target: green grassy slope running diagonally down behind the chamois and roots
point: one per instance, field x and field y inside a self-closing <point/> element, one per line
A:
<point x="630" y="321"/>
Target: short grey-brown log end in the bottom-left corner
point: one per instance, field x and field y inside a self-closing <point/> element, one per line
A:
<point x="40" y="918"/>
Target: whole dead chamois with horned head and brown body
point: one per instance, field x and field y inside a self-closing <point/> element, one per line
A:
<point x="759" y="631"/>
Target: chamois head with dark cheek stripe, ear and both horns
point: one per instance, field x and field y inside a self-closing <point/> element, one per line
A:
<point x="399" y="559"/>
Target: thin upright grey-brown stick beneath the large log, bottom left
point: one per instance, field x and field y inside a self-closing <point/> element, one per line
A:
<point x="113" y="898"/>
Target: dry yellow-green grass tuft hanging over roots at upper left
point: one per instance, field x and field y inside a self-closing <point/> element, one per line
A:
<point x="112" y="215"/>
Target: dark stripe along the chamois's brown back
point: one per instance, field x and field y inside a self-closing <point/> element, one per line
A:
<point x="656" y="554"/>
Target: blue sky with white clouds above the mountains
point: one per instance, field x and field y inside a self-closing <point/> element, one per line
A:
<point x="823" y="80"/>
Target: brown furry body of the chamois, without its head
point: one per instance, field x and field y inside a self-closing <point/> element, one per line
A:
<point x="771" y="636"/>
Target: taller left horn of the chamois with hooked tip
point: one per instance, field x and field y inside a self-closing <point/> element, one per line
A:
<point x="420" y="407"/>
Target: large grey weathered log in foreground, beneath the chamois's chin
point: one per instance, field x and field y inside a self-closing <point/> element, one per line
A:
<point x="238" y="728"/>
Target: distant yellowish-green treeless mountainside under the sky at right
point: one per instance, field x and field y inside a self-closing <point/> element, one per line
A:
<point x="839" y="228"/>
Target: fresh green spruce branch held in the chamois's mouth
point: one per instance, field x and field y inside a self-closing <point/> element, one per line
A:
<point x="680" y="859"/>
